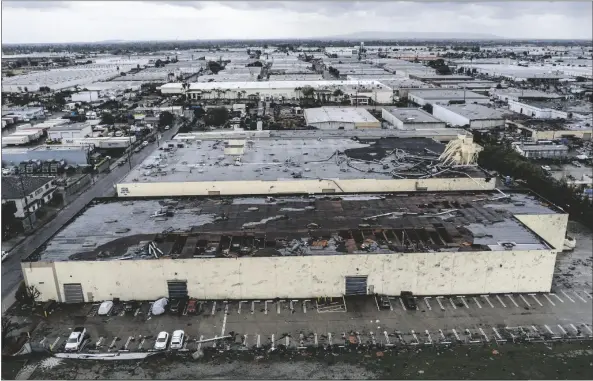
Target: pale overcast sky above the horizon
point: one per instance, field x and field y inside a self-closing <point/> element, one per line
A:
<point x="79" y="21"/>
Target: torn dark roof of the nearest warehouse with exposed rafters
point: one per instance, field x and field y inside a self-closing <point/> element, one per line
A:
<point x="290" y="225"/>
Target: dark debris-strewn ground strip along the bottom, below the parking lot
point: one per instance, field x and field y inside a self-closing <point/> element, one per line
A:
<point x="524" y="361"/>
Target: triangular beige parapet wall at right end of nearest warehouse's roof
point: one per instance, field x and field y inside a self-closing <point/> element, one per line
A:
<point x="551" y="227"/>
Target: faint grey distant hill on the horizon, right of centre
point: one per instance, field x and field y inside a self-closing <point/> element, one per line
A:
<point x="414" y="36"/>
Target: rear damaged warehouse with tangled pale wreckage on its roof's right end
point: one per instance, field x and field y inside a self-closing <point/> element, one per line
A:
<point x="305" y="162"/>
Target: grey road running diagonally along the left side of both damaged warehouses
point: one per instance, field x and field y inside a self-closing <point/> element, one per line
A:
<point x="11" y="268"/>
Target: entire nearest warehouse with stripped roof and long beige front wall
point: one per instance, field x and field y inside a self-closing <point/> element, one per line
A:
<point x="301" y="246"/>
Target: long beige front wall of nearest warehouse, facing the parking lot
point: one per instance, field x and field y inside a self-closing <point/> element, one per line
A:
<point x="302" y="277"/>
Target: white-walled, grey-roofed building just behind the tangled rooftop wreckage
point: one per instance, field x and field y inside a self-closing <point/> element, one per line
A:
<point x="477" y="117"/>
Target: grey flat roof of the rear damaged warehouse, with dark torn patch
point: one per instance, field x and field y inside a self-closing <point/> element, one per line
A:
<point x="291" y="159"/>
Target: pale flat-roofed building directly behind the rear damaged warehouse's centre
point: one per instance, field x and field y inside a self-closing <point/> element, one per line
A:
<point x="340" y="118"/>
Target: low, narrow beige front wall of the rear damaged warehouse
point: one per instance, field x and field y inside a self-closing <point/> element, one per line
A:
<point x="298" y="186"/>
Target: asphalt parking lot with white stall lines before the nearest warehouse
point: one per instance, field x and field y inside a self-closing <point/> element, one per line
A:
<point x="338" y="322"/>
